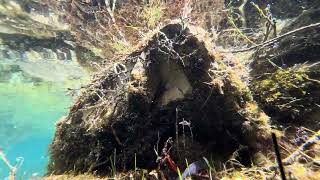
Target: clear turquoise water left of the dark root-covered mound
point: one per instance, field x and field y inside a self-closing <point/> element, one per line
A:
<point x="28" y="113"/>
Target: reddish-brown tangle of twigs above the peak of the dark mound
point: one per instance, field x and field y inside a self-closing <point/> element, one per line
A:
<point x="112" y="28"/>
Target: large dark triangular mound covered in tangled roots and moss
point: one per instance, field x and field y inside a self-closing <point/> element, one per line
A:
<point x="173" y="82"/>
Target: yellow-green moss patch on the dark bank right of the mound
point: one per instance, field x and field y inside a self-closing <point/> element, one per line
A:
<point x="286" y="89"/>
